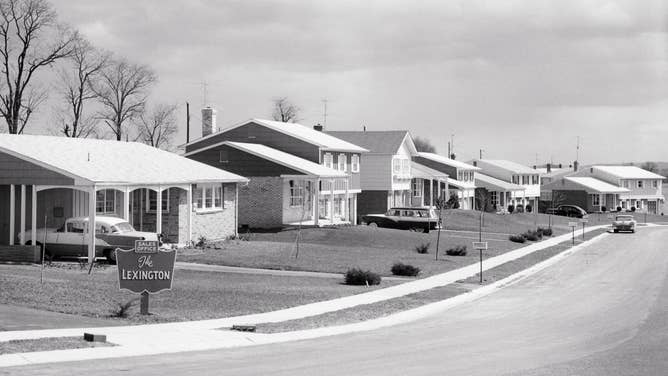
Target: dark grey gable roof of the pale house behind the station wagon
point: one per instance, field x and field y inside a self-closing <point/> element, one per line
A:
<point x="377" y="142"/>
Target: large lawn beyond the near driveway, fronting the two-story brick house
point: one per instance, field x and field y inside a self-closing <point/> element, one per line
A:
<point x="336" y="249"/>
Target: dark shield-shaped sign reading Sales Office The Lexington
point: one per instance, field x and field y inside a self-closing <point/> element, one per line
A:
<point x="146" y="268"/>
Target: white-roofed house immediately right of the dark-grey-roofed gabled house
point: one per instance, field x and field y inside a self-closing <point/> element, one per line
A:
<point x="461" y="177"/>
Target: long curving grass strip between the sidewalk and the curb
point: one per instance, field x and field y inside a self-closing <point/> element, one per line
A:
<point x="384" y="308"/>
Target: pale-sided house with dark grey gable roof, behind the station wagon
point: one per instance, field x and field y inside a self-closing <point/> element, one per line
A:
<point x="388" y="179"/>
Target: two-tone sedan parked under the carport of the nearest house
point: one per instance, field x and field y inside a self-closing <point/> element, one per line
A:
<point x="71" y="239"/>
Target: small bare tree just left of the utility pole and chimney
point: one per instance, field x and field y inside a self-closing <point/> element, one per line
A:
<point x="158" y="126"/>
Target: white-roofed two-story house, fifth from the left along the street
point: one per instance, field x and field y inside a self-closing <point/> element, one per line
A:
<point x="515" y="174"/>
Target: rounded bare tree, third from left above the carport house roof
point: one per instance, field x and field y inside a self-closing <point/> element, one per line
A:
<point x="122" y="92"/>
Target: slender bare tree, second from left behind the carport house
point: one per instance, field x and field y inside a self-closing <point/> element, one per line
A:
<point x="76" y="81"/>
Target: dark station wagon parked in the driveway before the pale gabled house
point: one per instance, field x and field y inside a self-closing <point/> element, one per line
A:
<point x="404" y="218"/>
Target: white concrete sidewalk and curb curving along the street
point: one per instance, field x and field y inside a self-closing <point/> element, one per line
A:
<point x="204" y="335"/>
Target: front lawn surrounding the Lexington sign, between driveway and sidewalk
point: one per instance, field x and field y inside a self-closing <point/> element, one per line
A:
<point x="195" y="295"/>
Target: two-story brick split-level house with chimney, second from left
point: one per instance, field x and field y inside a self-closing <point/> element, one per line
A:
<point x="297" y="174"/>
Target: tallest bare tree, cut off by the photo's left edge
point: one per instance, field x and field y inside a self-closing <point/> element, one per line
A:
<point x="30" y="40"/>
